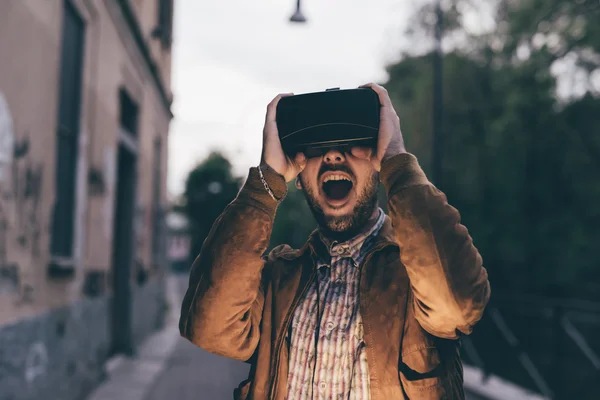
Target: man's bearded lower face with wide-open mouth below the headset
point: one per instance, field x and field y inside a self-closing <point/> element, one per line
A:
<point x="341" y="191"/>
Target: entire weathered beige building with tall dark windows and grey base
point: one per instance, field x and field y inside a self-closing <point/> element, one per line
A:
<point x="85" y="107"/>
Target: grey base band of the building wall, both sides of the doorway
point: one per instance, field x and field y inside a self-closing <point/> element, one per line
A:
<point x="60" y="354"/>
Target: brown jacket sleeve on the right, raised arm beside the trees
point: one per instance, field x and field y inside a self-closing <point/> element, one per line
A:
<point x="449" y="283"/>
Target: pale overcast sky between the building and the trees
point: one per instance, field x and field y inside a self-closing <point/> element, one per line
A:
<point x="230" y="58"/>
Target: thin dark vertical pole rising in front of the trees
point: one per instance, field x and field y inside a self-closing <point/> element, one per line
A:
<point x="438" y="104"/>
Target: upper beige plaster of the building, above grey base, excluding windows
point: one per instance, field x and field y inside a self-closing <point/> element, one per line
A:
<point x="30" y="38"/>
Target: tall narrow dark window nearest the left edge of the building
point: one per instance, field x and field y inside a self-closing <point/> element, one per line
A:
<point x="69" y="105"/>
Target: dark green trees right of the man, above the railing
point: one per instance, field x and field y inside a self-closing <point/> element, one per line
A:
<point x="521" y="164"/>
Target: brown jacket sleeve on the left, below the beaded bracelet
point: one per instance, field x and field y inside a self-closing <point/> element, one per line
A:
<point x="222" y="308"/>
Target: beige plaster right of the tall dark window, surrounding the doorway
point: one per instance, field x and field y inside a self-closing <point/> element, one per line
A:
<point x="119" y="66"/>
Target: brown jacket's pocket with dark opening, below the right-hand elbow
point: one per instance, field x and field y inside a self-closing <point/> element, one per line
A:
<point x="420" y="373"/>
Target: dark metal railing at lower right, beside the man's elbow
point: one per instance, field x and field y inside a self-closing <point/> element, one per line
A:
<point x="550" y="346"/>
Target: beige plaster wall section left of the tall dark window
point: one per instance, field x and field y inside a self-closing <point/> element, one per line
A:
<point x="28" y="92"/>
